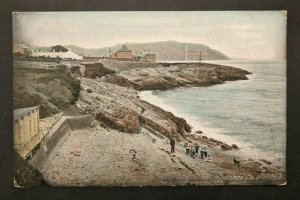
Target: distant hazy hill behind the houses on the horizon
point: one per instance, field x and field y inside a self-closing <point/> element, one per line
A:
<point x="165" y="51"/>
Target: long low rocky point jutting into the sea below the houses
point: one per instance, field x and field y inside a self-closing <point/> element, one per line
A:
<point x="162" y="76"/>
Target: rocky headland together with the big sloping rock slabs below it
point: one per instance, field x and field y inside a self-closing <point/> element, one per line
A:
<point x="111" y="94"/>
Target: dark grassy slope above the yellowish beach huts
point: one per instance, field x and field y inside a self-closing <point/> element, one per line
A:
<point x="52" y="90"/>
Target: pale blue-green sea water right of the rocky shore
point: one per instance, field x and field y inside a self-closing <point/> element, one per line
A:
<point x="250" y="113"/>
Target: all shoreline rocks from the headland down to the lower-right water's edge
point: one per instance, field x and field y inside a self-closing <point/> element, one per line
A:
<point x="114" y="102"/>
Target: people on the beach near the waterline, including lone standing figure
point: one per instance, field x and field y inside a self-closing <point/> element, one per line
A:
<point x="193" y="149"/>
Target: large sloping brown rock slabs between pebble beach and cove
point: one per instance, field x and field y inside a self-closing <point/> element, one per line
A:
<point x="119" y="108"/>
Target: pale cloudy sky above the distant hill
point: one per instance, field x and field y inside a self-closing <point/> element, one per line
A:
<point x="237" y="34"/>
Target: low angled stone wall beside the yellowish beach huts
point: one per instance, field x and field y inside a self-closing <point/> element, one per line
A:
<point x="56" y="135"/>
